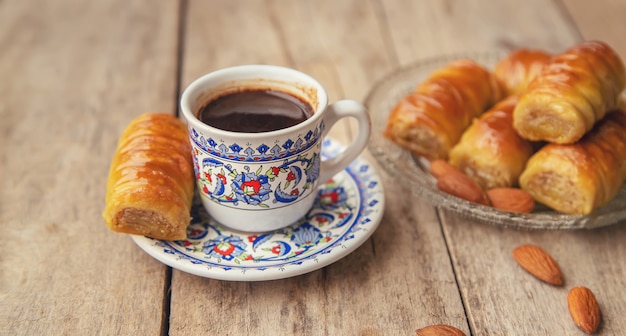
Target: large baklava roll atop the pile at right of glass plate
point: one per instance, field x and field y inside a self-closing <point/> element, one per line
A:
<point x="571" y="94"/>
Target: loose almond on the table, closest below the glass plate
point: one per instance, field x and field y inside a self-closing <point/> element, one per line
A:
<point x="539" y="263"/>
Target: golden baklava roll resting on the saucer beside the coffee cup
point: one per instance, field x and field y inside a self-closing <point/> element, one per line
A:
<point x="151" y="180"/>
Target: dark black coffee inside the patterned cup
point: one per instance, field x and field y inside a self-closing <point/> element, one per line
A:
<point x="252" y="110"/>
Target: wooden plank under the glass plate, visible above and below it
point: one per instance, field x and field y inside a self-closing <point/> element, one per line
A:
<point x="499" y="297"/>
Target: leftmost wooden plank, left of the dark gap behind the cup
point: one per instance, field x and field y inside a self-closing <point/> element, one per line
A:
<point x="74" y="73"/>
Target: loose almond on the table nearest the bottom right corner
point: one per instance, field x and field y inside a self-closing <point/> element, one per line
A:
<point x="584" y="309"/>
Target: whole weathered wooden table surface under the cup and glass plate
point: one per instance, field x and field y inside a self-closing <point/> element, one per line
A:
<point x="74" y="73"/>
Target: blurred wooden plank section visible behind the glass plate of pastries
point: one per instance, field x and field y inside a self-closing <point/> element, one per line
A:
<point x="421" y="29"/>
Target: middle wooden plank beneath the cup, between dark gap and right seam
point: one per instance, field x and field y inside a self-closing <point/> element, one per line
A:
<point x="398" y="280"/>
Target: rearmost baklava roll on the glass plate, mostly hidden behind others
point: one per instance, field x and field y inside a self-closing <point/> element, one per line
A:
<point x="518" y="68"/>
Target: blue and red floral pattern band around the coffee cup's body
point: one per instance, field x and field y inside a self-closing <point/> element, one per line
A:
<point x="224" y="174"/>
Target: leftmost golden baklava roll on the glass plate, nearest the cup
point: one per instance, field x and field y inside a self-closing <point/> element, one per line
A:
<point x="430" y="120"/>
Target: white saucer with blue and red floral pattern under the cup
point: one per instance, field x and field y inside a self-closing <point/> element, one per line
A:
<point x="346" y="212"/>
